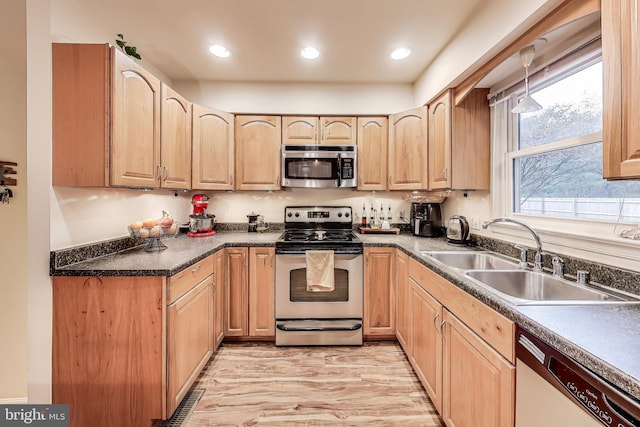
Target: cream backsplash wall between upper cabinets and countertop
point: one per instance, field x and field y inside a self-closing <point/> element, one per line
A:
<point x="88" y="215"/>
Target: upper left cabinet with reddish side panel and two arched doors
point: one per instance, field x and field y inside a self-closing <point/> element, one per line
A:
<point x="107" y="122"/>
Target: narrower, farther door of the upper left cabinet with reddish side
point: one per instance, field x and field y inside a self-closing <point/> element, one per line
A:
<point x="175" y="140"/>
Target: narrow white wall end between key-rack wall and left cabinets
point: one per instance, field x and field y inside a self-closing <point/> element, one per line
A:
<point x="39" y="185"/>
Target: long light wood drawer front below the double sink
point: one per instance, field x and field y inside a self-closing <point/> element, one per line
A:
<point x="494" y="328"/>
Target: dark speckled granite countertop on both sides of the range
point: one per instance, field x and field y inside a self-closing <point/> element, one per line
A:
<point x="604" y="338"/>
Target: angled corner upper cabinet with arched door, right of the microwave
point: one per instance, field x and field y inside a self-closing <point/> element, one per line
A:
<point x="408" y="150"/>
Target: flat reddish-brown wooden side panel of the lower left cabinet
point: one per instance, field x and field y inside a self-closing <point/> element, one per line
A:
<point x="108" y="349"/>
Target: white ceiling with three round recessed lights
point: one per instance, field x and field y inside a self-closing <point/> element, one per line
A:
<point x="266" y="36"/>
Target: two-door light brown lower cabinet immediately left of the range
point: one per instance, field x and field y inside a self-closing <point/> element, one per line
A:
<point x="250" y="292"/>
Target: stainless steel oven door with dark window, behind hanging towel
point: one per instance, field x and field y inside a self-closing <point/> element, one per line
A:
<point x="294" y="301"/>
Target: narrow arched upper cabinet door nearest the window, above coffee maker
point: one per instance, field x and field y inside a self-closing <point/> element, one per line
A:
<point x="440" y="142"/>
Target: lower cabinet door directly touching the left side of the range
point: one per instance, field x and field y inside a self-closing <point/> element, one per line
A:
<point x="262" y="292"/>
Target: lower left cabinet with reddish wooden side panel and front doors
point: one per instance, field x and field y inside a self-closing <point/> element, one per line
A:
<point x="126" y="348"/>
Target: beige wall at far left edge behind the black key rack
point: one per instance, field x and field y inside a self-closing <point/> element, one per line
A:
<point x="13" y="216"/>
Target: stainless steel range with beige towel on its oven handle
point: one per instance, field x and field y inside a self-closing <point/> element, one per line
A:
<point x="318" y="245"/>
